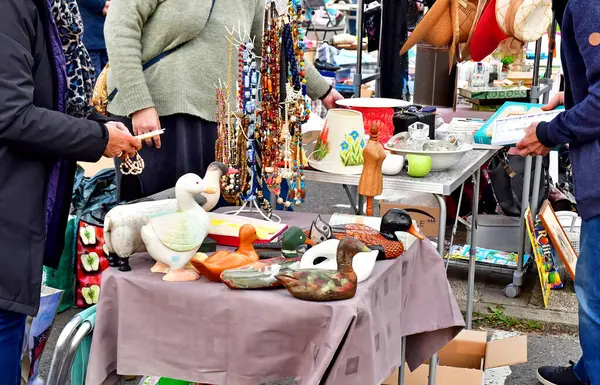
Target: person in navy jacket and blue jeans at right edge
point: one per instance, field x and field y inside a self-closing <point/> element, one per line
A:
<point x="579" y="126"/>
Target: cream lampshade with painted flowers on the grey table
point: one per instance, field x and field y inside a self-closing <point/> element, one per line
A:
<point x="339" y="149"/>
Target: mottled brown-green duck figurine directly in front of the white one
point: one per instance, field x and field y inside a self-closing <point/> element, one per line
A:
<point x="327" y="285"/>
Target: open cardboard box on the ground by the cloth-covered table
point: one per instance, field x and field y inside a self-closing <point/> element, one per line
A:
<point x="464" y="360"/>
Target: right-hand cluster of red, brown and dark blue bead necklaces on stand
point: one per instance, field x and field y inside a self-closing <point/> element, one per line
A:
<point x="281" y="126"/>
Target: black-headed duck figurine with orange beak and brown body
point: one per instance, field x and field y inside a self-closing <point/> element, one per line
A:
<point x="385" y="240"/>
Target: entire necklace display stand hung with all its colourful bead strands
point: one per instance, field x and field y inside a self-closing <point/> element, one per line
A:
<point x="260" y="136"/>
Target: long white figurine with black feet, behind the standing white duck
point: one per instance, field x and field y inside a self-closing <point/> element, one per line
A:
<point x="123" y="224"/>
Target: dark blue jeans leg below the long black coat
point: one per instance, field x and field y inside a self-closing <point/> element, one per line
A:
<point x="12" y="332"/>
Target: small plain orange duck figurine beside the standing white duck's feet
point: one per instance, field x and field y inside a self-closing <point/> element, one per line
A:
<point x="222" y="260"/>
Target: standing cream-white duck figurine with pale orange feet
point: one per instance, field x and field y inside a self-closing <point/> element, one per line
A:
<point x="173" y="239"/>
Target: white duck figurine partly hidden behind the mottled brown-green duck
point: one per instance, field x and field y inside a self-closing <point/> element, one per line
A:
<point x="323" y="256"/>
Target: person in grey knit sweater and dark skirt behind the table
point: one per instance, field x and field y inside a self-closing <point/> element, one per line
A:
<point x="178" y="92"/>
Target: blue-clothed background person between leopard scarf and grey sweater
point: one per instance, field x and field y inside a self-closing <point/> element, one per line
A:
<point x="93" y="13"/>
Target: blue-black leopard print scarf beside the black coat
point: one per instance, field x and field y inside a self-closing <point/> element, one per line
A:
<point x="79" y="69"/>
